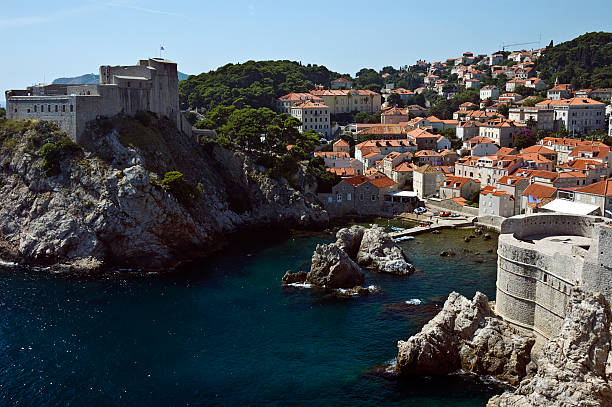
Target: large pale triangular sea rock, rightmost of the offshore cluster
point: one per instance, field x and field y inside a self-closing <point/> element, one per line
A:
<point x="379" y="252"/>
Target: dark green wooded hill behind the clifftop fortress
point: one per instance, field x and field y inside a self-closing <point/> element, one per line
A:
<point x="253" y="83"/>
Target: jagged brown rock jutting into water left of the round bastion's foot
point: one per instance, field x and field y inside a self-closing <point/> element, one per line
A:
<point x="466" y="335"/>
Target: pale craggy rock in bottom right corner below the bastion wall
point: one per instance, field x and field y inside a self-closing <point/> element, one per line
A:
<point x="574" y="368"/>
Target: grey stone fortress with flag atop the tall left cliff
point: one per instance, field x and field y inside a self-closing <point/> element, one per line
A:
<point x="151" y="85"/>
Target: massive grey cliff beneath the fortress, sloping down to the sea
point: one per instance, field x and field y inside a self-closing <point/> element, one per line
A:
<point x="105" y="203"/>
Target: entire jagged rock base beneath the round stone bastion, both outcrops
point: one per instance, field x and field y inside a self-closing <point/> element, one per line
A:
<point x="573" y="368"/>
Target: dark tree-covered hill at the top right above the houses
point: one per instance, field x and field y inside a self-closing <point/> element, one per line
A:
<point x="585" y="62"/>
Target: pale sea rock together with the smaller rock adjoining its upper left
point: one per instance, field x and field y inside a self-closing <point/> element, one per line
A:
<point x="373" y="248"/>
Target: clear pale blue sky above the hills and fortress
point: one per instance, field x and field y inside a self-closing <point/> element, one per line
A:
<point x="43" y="40"/>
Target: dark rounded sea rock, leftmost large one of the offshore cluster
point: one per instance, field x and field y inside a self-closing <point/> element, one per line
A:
<point x="332" y="268"/>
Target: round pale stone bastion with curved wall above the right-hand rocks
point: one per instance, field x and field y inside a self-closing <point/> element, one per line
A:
<point x="541" y="259"/>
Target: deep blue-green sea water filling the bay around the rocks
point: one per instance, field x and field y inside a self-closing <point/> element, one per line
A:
<point x="226" y="334"/>
